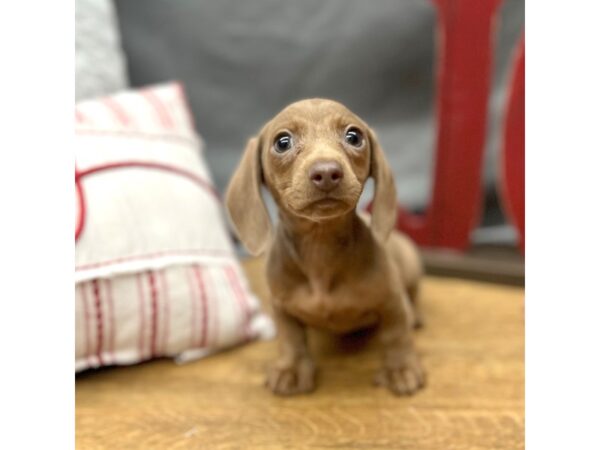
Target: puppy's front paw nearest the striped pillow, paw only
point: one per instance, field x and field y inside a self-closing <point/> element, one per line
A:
<point x="284" y="378"/>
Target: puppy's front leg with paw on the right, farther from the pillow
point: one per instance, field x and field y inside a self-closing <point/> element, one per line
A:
<point x="402" y="372"/>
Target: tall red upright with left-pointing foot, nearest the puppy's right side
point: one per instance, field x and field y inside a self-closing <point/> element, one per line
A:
<point x="464" y="66"/>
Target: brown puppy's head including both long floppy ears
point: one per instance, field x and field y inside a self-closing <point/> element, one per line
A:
<point x="314" y="157"/>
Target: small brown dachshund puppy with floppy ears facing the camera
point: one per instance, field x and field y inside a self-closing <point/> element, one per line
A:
<point x="327" y="266"/>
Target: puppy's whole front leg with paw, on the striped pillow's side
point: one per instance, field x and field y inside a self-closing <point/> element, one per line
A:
<point x="294" y="371"/>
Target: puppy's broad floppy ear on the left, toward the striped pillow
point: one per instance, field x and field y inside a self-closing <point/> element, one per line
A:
<point x="244" y="201"/>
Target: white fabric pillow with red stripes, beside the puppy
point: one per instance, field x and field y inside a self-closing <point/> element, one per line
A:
<point x="155" y="271"/>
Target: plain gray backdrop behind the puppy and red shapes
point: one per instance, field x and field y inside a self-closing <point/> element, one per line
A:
<point x="242" y="61"/>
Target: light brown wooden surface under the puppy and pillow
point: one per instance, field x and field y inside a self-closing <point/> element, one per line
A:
<point x="472" y="348"/>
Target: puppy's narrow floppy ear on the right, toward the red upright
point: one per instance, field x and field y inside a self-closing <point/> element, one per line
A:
<point x="383" y="213"/>
